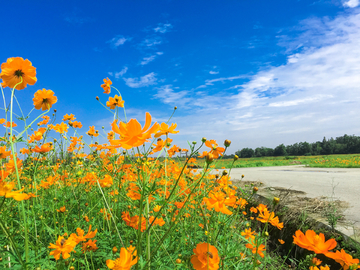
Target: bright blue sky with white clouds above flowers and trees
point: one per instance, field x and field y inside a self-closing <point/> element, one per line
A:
<point x="259" y="73"/>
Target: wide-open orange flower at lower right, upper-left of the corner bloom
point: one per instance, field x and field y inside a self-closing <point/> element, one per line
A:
<point x="313" y="242"/>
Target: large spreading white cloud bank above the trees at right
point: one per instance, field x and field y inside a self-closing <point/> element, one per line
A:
<point x="314" y="94"/>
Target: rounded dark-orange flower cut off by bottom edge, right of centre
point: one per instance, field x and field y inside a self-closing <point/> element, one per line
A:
<point x="206" y="257"/>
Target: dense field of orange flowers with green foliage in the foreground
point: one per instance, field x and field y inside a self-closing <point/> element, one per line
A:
<point x="67" y="204"/>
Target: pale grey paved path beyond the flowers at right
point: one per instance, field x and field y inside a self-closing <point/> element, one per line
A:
<point x="313" y="186"/>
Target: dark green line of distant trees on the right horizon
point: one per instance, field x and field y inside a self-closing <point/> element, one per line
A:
<point x="340" y="145"/>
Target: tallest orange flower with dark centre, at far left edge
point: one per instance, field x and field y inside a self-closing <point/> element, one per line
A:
<point x="16" y="68"/>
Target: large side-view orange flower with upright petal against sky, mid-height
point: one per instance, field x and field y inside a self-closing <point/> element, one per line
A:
<point x="131" y="134"/>
